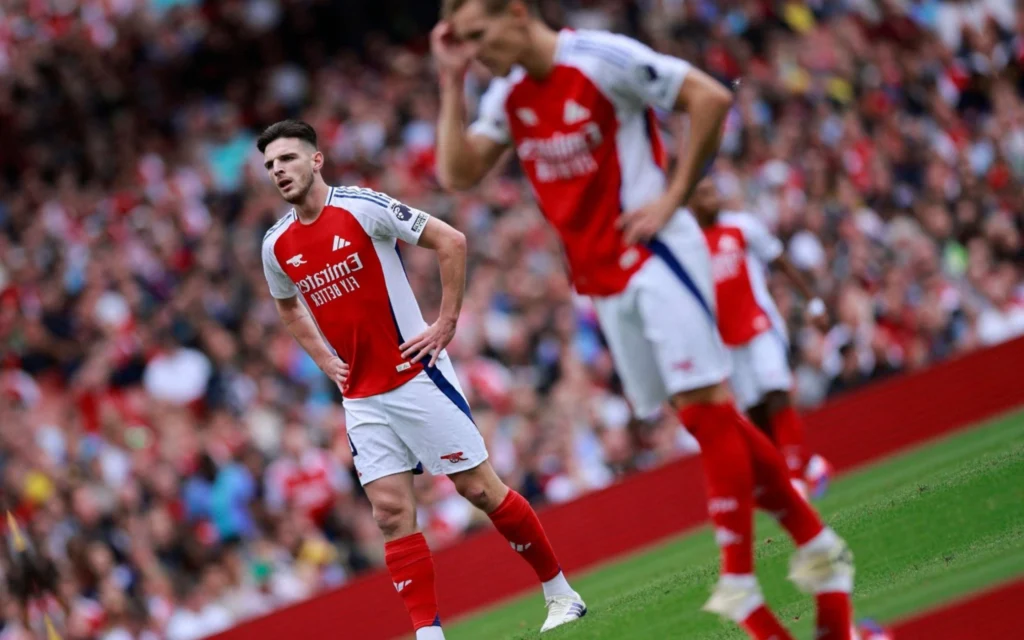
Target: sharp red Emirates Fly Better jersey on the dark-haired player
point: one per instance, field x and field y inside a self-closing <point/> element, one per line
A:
<point x="348" y="268"/>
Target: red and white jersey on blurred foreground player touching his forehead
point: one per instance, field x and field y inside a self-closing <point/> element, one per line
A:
<point x="587" y="137"/>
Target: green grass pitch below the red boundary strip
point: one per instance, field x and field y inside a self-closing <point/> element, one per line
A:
<point x="926" y="527"/>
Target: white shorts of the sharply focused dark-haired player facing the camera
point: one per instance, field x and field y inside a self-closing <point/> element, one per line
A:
<point x="425" y="421"/>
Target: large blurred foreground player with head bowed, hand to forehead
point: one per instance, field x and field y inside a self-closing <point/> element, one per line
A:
<point x="579" y="110"/>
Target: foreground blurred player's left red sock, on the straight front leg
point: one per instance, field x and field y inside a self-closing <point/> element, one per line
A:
<point x="730" y="476"/>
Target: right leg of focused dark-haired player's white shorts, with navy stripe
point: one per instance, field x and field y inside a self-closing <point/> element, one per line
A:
<point x="433" y="418"/>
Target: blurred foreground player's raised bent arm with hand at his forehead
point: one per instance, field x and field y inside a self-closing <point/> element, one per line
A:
<point x="464" y="156"/>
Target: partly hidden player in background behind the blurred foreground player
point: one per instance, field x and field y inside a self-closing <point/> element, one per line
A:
<point x="742" y="248"/>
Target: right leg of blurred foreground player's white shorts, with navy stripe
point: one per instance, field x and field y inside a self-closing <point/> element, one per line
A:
<point x="678" y="317"/>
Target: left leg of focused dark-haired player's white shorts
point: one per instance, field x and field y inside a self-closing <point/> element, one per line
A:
<point x="377" y="449"/>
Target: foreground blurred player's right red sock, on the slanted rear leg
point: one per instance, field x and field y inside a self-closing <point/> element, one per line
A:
<point x="776" y="493"/>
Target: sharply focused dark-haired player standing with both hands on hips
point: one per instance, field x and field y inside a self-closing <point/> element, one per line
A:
<point x="335" y="272"/>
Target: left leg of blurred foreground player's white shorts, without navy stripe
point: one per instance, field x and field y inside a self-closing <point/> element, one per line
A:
<point x="632" y="354"/>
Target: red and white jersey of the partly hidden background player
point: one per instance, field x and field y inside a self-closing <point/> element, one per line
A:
<point x="741" y="250"/>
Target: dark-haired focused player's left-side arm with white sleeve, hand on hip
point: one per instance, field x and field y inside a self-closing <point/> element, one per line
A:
<point x="295" y="317"/>
